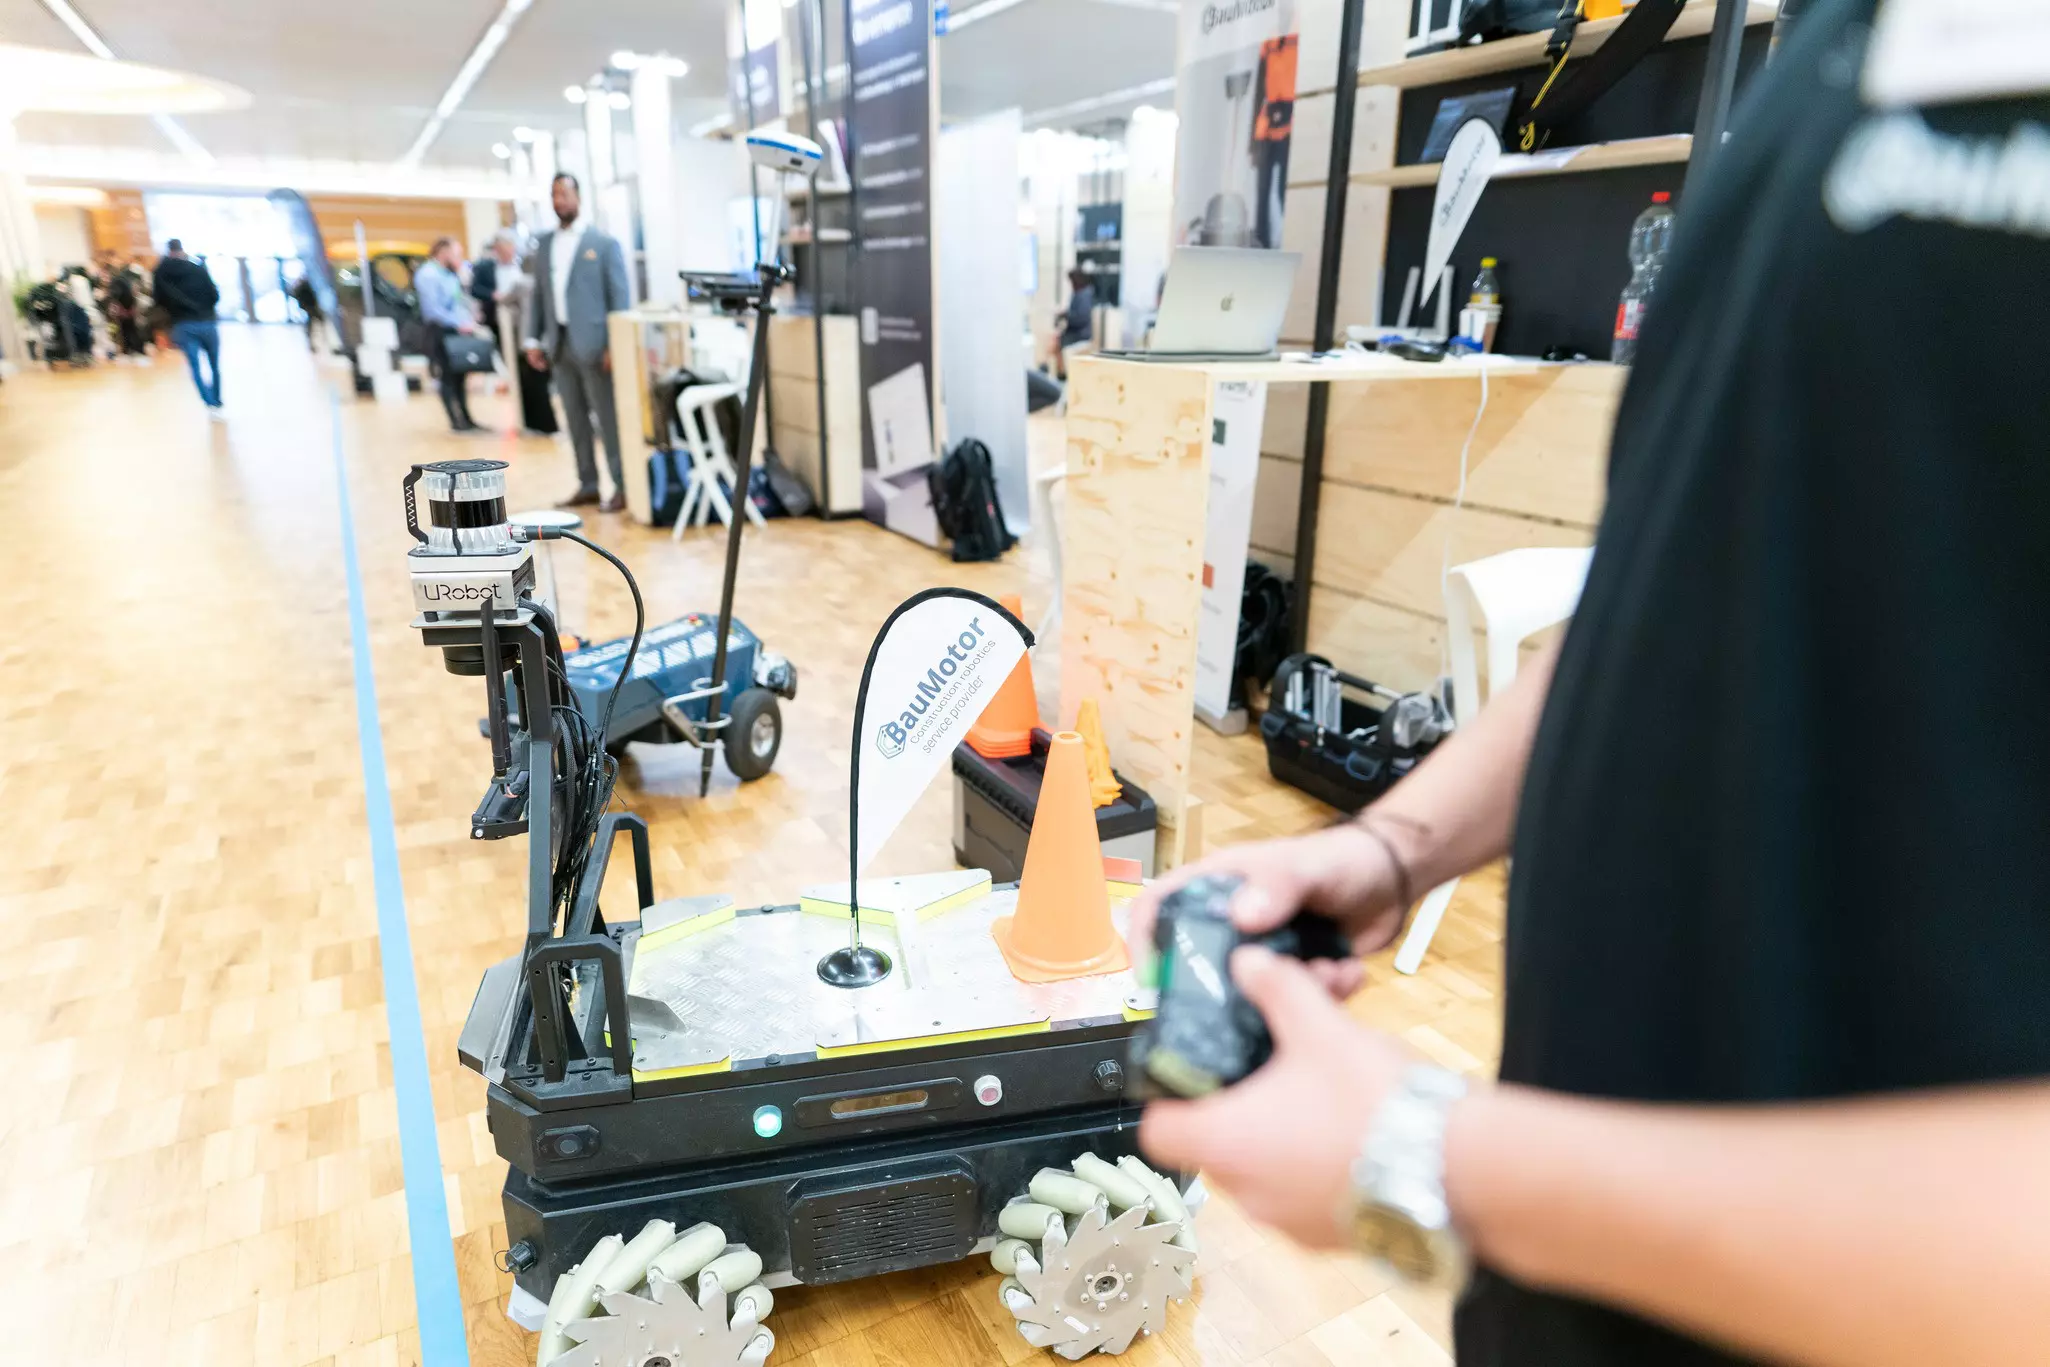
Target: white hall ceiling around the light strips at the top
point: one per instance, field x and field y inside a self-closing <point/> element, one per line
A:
<point x="358" y="79"/>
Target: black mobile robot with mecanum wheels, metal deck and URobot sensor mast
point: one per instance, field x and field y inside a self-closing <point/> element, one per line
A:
<point x="692" y="1116"/>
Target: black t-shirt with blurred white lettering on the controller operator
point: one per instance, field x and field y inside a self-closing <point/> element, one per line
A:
<point x="1787" y="829"/>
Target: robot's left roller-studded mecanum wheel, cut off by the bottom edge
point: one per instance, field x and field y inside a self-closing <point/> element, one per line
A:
<point x="626" y="1304"/>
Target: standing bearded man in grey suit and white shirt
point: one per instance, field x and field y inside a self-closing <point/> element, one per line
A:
<point x="579" y="280"/>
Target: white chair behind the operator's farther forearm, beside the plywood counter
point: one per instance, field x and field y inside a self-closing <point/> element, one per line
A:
<point x="1520" y="595"/>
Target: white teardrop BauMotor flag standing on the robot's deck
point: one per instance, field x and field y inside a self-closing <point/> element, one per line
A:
<point x="934" y="669"/>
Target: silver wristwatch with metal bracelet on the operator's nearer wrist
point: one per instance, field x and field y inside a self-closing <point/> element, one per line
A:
<point x="1397" y="1206"/>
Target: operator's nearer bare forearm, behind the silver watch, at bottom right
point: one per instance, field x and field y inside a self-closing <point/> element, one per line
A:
<point x="1905" y="1231"/>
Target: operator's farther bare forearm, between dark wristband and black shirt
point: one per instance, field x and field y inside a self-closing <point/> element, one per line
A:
<point x="1459" y="809"/>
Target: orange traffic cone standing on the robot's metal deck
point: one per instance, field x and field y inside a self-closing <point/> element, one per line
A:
<point x="1063" y="927"/>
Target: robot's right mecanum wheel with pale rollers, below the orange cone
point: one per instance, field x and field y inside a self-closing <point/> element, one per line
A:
<point x="1094" y="1257"/>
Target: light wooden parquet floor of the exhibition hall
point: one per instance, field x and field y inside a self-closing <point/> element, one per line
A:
<point x="200" y="1157"/>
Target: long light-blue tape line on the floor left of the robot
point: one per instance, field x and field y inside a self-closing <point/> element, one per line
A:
<point x="427" y="1206"/>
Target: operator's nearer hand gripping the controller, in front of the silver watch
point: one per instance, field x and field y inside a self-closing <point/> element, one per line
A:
<point x="1284" y="1141"/>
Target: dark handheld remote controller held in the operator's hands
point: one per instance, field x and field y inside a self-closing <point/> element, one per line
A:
<point x="1206" y="1034"/>
